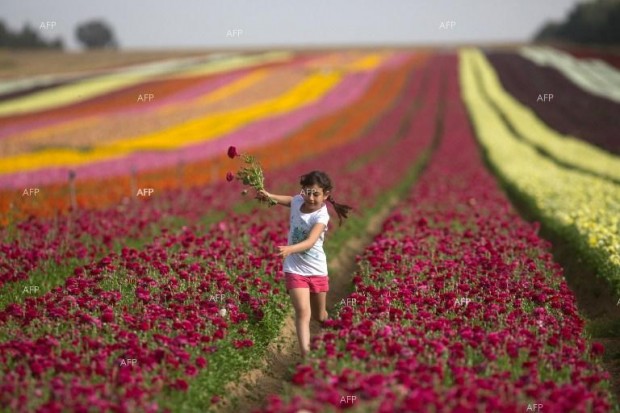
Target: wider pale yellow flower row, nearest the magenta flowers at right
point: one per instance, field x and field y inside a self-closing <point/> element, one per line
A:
<point x="581" y="207"/>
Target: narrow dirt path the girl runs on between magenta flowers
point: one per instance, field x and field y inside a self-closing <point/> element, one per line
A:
<point x="283" y="353"/>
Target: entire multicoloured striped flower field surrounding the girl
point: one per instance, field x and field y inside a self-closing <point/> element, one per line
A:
<point x="113" y="300"/>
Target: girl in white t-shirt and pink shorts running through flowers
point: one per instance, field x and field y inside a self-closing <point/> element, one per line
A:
<point x="305" y="263"/>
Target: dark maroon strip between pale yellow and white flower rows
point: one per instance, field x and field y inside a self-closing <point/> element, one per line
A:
<point x="570" y="110"/>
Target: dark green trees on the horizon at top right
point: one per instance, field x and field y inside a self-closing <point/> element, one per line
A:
<point x="595" y="22"/>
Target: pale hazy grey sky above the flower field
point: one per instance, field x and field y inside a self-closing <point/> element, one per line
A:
<point x="209" y="23"/>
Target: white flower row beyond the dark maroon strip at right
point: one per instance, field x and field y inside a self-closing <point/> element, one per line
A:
<point x="592" y="75"/>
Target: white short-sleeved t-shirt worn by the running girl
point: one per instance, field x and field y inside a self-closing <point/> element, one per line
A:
<point x="312" y="261"/>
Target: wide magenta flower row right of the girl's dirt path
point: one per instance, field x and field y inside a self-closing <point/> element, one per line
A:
<point x="458" y="306"/>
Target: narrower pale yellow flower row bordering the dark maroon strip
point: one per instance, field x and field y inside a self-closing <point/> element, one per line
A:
<point x="564" y="148"/>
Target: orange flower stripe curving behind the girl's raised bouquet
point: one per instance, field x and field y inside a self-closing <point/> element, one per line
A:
<point x="318" y="136"/>
